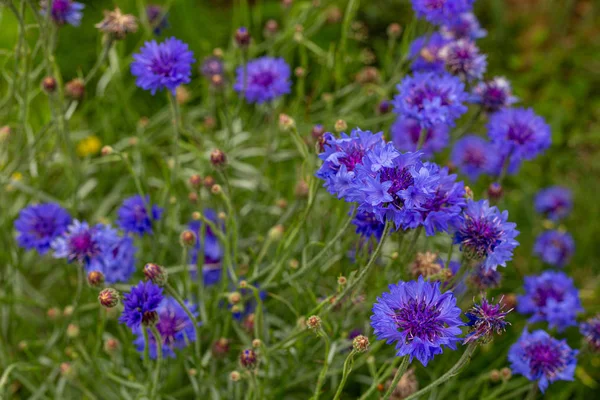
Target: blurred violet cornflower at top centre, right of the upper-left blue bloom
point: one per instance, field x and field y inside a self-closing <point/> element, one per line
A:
<point x="263" y="79"/>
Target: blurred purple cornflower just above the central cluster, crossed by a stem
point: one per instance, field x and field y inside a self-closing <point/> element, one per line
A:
<point x="405" y="133"/>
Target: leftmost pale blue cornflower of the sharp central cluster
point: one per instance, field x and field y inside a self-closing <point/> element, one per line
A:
<point x="342" y="155"/>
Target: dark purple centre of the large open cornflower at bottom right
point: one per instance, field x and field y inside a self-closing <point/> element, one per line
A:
<point x="419" y="319"/>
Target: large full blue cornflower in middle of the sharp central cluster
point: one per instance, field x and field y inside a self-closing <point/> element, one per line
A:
<point x="394" y="186"/>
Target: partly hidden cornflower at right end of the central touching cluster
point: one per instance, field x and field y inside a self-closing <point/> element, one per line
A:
<point x="442" y="210"/>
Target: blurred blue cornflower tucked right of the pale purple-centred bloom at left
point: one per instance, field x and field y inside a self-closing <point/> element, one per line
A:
<point x="116" y="259"/>
